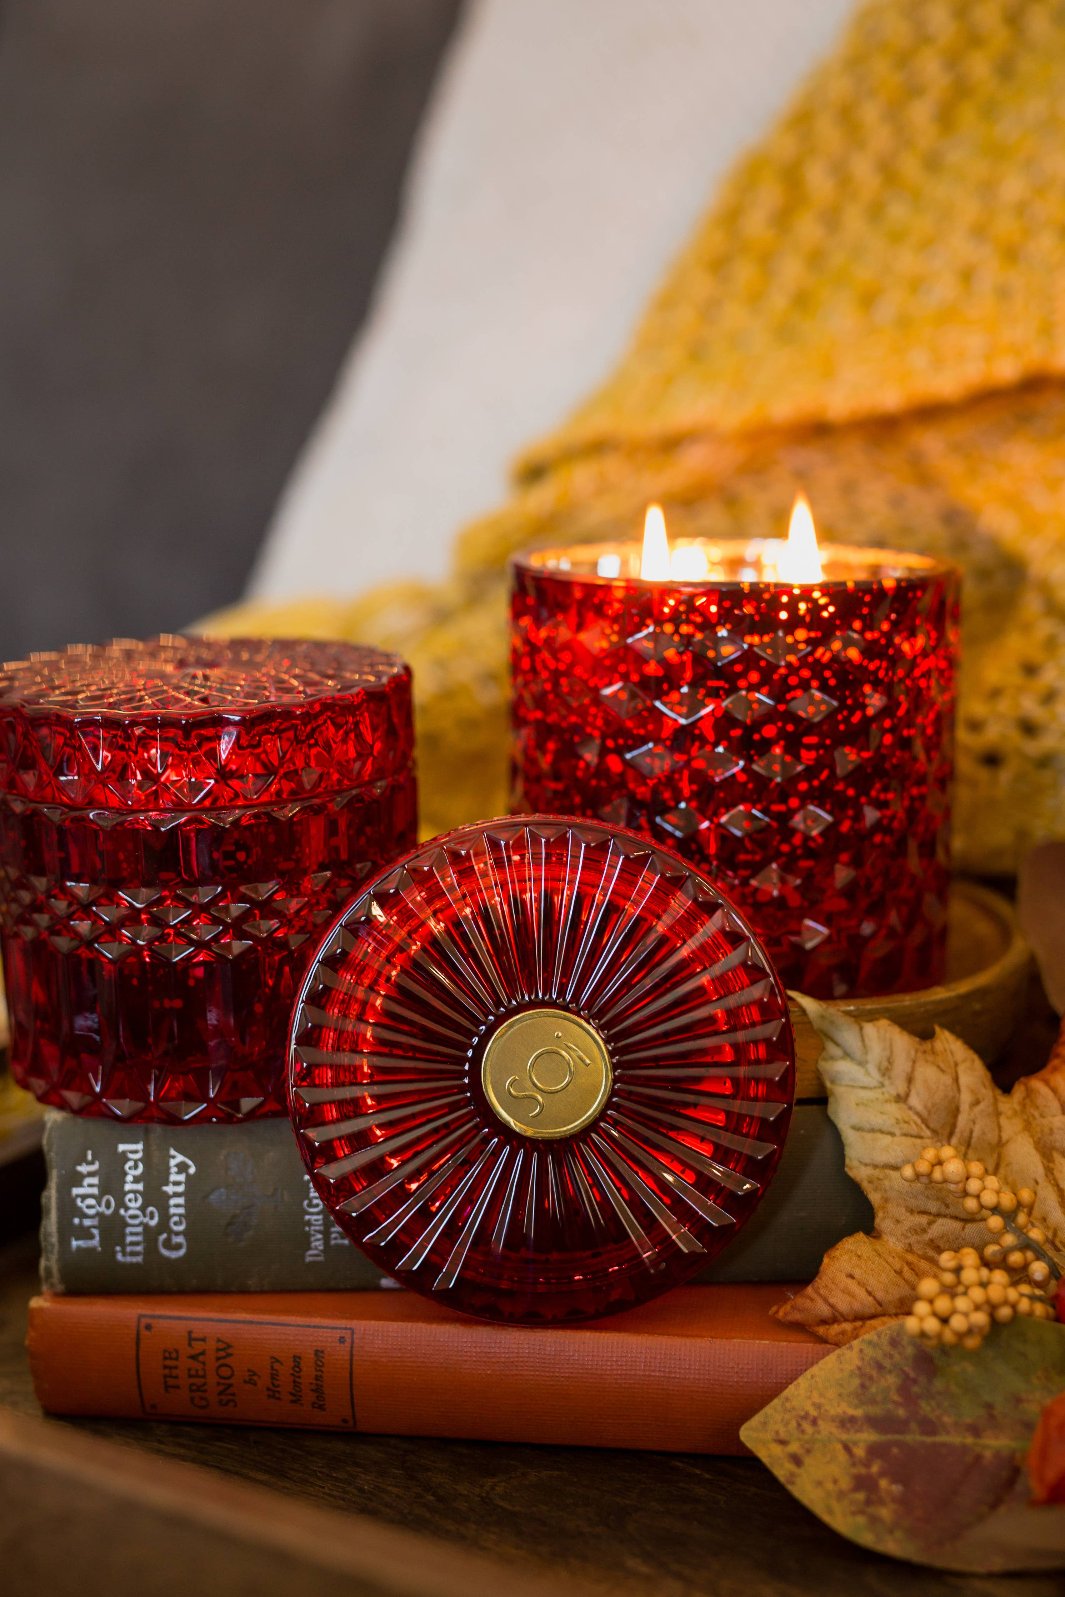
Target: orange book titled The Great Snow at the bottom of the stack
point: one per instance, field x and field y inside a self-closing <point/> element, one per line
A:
<point x="681" y="1374"/>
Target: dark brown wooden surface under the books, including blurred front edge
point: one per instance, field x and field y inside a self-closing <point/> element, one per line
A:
<point x="472" y="1516"/>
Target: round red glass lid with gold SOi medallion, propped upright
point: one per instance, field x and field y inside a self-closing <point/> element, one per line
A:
<point x="542" y="1071"/>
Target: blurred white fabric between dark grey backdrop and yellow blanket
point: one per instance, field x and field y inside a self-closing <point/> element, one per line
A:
<point x="569" y="149"/>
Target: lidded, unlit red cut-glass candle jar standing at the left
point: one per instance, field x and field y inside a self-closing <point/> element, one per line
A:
<point x="180" y="820"/>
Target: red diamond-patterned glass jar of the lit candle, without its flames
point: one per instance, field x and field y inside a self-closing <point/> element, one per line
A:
<point x="793" y="742"/>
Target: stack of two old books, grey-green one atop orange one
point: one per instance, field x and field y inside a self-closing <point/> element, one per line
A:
<point x="192" y="1274"/>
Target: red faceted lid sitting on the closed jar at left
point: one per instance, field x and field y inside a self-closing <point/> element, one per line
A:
<point x="199" y="723"/>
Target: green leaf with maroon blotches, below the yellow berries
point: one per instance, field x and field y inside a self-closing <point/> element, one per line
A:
<point x="920" y="1452"/>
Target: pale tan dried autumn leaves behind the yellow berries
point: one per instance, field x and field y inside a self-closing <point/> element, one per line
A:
<point x="892" y="1095"/>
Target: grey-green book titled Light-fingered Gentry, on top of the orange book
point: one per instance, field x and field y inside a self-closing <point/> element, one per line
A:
<point x="232" y="1210"/>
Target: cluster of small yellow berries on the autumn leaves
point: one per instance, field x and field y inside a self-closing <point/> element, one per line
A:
<point x="972" y="1291"/>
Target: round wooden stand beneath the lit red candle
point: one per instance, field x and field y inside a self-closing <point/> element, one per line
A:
<point x="981" y="1002"/>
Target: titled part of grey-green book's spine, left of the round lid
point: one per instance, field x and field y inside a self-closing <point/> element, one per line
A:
<point x="188" y="1210"/>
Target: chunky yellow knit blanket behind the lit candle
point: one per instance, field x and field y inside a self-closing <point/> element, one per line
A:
<point x="873" y="311"/>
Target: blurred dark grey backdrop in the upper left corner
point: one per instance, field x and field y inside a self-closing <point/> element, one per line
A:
<point x="194" y="200"/>
